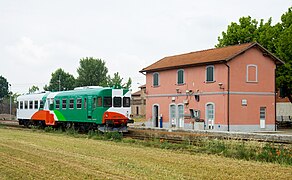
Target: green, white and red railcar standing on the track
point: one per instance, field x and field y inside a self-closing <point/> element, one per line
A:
<point x="106" y="109"/>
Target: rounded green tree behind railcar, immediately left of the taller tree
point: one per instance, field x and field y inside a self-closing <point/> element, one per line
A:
<point x="60" y="80"/>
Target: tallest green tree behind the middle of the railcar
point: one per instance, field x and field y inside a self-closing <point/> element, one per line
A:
<point x="92" y="72"/>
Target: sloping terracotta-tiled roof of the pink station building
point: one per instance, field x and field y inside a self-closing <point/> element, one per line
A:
<point x="209" y="56"/>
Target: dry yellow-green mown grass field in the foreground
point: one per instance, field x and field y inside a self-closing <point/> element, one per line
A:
<point x="39" y="155"/>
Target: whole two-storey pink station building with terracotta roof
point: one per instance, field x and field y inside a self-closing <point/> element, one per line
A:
<point x="225" y="89"/>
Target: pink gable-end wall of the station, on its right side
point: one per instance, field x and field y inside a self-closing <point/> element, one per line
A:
<point x="258" y="94"/>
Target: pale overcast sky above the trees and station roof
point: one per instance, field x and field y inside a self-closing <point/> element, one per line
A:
<point x="39" y="36"/>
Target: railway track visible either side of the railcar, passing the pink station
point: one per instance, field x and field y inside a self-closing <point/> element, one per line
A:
<point x="180" y="137"/>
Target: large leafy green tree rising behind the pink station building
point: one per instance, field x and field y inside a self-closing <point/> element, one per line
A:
<point x="276" y="39"/>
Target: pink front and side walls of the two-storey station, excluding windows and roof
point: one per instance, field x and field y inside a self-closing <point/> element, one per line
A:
<point x="242" y="118"/>
